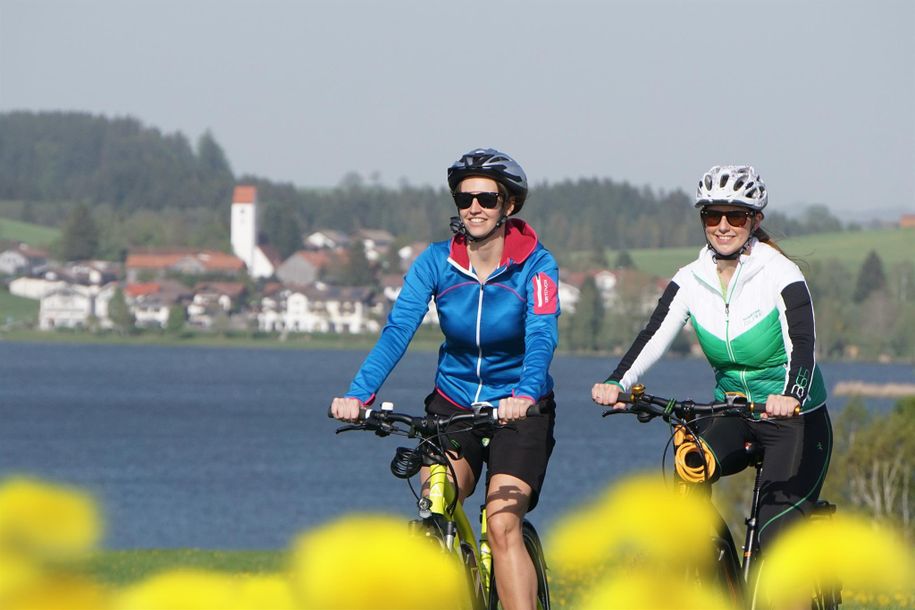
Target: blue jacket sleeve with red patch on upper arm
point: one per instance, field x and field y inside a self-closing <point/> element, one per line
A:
<point x="541" y="331"/>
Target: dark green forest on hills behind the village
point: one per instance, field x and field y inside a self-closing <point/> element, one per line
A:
<point x="149" y="188"/>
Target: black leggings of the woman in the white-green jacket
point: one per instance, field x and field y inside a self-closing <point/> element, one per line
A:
<point x="797" y="451"/>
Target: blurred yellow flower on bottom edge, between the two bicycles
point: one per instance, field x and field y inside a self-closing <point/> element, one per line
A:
<point x="624" y="591"/>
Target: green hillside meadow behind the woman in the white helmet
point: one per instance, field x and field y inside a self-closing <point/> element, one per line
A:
<point x="849" y="247"/>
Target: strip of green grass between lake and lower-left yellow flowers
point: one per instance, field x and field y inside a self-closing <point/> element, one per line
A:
<point x="123" y="567"/>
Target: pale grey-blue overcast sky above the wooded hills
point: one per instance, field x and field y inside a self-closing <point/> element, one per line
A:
<point x="820" y="96"/>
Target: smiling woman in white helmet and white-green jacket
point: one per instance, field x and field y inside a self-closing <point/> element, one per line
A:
<point x="753" y="317"/>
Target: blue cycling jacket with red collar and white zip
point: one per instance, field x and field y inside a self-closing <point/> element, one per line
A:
<point x="500" y="334"/>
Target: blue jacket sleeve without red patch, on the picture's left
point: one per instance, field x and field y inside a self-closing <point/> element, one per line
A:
<point x="405" y="317"/>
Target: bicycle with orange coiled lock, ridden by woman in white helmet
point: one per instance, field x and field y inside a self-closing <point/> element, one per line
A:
<point x="694" y="464"/>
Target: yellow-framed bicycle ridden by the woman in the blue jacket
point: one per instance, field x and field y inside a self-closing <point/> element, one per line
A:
<point x="441" y="516"/>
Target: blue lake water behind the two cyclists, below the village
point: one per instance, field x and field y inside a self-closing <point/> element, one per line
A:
<point x="232" y="448"/>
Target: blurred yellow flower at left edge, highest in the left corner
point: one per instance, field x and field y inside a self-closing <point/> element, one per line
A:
<point x="38" y="518"/>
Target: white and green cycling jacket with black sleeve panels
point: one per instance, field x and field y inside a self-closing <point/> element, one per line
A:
<point x="758" y="334"/>
